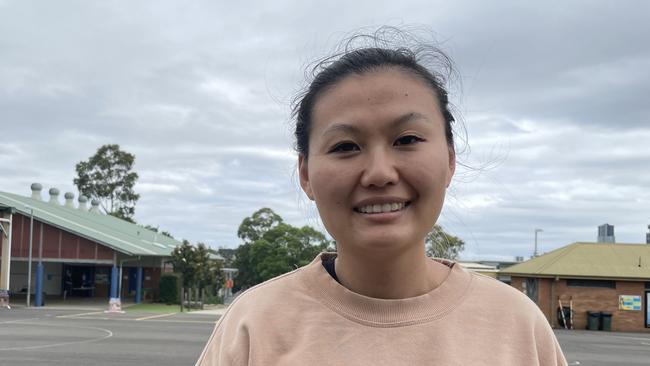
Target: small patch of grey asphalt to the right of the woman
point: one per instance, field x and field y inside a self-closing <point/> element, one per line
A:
<point x="594" y="348"/>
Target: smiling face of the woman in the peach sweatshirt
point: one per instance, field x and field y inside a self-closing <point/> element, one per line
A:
<point x="378" y="162"/>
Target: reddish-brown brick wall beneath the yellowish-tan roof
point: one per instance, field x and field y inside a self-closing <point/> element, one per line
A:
<point x="590" y="299"/>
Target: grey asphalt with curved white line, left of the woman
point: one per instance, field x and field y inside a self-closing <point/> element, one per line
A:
<point x="73" y="337"/>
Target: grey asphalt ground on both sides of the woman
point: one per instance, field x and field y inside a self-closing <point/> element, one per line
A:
<point x="73" y="337"/>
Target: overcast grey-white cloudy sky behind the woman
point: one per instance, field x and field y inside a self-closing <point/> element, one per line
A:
<point x="554" y="98"/>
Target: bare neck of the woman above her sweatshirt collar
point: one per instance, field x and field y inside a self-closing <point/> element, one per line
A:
<point x="397" y="276"/>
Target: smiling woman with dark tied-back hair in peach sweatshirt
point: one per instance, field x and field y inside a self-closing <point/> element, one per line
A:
<point x="376" y="154"/>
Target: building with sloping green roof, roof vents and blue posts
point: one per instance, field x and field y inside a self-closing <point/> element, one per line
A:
<point x="76" y="251"/>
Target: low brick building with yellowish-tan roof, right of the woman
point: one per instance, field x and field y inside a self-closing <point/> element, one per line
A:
<point x="589" y="277"/>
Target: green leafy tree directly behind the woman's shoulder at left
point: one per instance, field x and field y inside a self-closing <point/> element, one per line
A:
<point x="278" y="248"/>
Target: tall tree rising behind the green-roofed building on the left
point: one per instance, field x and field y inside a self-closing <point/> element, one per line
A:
<point x="108" y="177"/>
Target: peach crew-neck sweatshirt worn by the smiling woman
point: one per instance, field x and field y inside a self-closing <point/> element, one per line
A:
<point x="305" y="317"/>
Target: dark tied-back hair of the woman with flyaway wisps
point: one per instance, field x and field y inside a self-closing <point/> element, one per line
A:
<point x="360" y="60"/>
